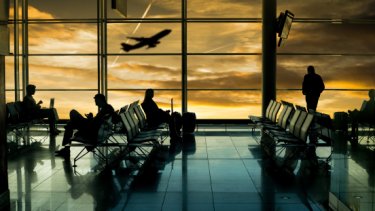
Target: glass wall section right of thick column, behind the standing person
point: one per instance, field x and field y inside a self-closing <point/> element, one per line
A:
<point x="337" y="40"/>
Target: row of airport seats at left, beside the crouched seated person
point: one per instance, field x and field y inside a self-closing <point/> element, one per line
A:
<point x="124" y="136"/>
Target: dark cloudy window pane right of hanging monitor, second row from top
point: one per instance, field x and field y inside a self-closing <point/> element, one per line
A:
<point x="330" y="38"/>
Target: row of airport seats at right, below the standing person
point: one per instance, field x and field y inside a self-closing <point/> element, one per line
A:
<point x="294" y="126"/>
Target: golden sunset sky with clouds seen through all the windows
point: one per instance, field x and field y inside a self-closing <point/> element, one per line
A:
<point x="352" y="68"/>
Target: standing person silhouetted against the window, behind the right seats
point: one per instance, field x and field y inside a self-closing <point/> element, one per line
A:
<point x="312" y="87"/>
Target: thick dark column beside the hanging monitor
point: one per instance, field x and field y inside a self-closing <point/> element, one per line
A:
<point x="268" y="53"/>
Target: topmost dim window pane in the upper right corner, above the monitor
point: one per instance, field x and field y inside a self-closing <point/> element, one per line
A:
<point x="328" y="9"/>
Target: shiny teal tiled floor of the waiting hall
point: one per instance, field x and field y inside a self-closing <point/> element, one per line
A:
<point x="224" y="168"/>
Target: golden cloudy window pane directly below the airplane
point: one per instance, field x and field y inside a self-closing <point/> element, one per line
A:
<point x="142" y="72"/>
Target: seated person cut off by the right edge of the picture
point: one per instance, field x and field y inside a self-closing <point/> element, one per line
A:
<point x="365" y="115"/>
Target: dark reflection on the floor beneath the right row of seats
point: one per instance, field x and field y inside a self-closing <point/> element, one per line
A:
<point x="293" y="170"/>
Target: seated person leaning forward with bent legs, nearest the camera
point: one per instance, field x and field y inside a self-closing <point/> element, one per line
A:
<point x="87" y="127"/>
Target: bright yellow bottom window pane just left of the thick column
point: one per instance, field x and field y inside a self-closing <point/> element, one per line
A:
<point x="224" y="104"/>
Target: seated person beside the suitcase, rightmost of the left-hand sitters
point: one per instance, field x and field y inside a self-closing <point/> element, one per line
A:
<point x="155" y="116"/>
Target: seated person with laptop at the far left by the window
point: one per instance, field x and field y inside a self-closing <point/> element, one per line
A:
<point x="34" y="110"/>
